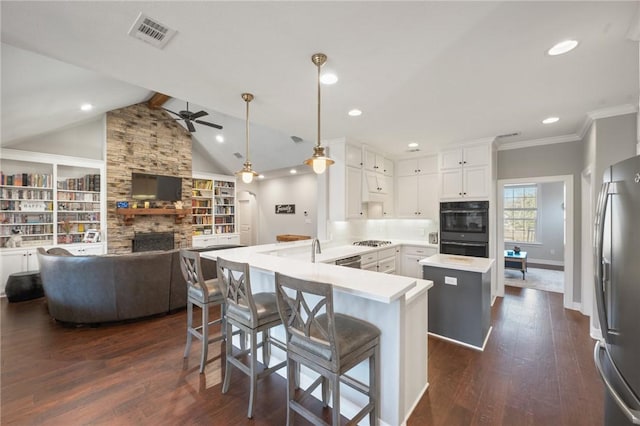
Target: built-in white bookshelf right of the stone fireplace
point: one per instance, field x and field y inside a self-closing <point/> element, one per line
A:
<point x="213" y="205"/>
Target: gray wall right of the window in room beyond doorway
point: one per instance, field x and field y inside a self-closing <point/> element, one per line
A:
<point x="551" y="230"/>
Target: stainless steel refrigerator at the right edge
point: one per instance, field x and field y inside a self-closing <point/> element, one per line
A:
<point x="617" y="291"/>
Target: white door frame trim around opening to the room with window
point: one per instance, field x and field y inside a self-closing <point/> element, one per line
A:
<point x="567" y="181"/>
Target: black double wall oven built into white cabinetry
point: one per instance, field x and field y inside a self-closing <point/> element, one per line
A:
<point x="464" y="228"/>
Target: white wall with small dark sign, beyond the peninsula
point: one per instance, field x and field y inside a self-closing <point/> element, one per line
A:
<point x="300" y="190"/>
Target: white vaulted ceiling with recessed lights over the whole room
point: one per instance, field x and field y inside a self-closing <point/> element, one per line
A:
<point x="435" y="73"/>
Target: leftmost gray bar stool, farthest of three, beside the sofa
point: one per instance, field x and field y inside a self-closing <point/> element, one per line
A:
<point x="204" y="294"/>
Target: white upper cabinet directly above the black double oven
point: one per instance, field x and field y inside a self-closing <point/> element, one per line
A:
<point x="465" y="173"/>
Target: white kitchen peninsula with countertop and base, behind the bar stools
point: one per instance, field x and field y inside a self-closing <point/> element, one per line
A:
<point x="397" y="305"/>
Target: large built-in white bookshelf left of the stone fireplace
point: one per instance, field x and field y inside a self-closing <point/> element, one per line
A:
<point x="48" y="200"/>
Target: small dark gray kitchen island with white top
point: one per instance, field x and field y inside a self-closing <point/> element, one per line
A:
<point x="460" y="301"/>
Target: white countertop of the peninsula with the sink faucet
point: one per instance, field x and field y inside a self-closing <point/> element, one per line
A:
<point x="294" y="259"/>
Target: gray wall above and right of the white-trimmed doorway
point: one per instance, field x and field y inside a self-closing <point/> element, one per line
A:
<point x="551" y="160"/>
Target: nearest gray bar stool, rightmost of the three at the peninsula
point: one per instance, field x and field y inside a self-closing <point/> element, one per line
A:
<point x="328" y="343"/>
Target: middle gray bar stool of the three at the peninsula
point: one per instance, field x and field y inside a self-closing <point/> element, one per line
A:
<point x="251" y="314"/>
